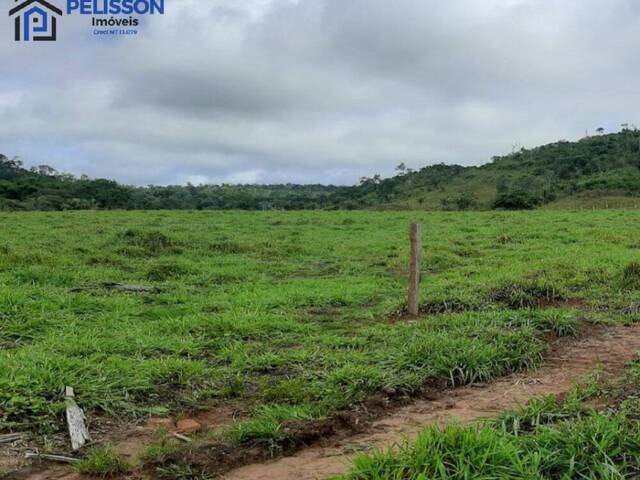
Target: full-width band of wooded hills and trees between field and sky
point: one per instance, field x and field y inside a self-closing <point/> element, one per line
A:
<point x="597" y="170"/>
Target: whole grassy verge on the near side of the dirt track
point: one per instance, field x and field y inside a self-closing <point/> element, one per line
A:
<point x="549" y="439"/>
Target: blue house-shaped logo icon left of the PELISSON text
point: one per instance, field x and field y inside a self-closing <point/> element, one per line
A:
<point x="35" y="20"/>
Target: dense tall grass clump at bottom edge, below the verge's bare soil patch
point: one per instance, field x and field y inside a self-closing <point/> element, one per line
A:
<point x="594" y="448"/>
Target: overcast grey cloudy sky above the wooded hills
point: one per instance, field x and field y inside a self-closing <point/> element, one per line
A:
<point x="316" y="91"/>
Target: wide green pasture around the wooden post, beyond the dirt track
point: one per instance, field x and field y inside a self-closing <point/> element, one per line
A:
<point x="288" y="317"/>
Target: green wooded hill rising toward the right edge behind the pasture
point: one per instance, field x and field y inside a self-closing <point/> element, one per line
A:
<point x="593" y="170"/>
